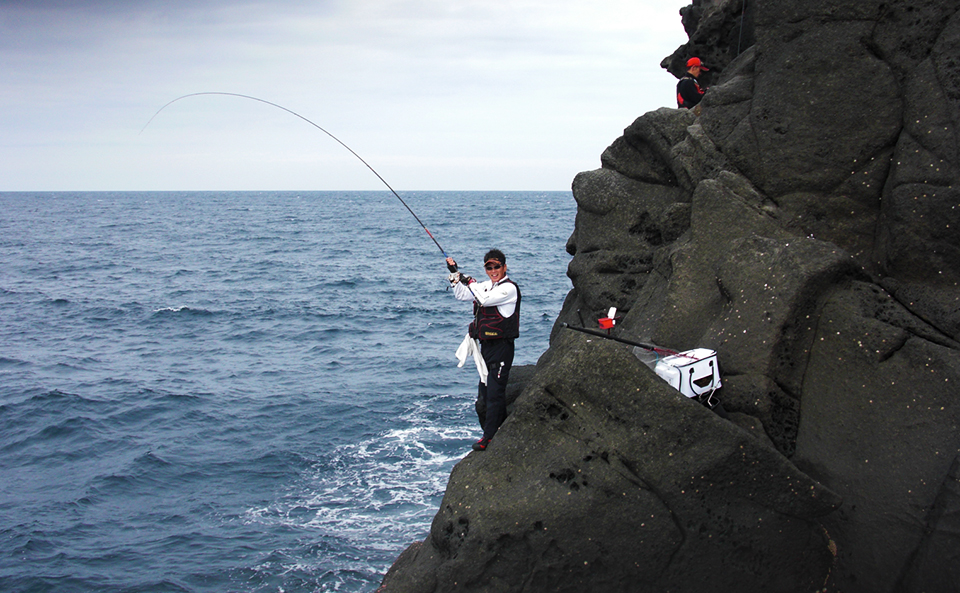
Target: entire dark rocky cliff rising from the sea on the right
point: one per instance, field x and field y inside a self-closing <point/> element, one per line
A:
<point x="804" y="226"/>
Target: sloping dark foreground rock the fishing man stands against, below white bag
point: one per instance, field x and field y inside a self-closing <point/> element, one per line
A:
<point x="606" y="479"/>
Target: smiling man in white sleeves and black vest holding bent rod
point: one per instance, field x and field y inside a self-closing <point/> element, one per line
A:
<point x="496" y="324"/>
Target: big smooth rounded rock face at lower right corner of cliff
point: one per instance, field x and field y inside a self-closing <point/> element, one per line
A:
<point x="879" y="423"/>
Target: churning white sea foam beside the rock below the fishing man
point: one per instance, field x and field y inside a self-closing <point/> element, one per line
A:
<point x="381" y="492"/>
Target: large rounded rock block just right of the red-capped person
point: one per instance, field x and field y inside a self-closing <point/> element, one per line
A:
<point x="805" y="133"/>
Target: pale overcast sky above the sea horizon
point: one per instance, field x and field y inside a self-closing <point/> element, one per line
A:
<point x="433" y="94"/>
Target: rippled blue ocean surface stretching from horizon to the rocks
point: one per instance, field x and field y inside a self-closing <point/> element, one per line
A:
<point x="243" y="391"/>
